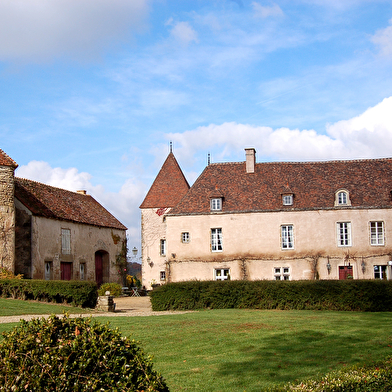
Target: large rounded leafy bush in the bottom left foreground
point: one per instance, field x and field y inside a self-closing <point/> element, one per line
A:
<point x="63" y="354"/>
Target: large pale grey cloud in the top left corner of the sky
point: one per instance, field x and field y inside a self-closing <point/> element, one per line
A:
<point x="44" y="29"/>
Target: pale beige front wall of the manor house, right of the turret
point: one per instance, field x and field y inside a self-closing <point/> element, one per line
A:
<point x="252" y="245"/>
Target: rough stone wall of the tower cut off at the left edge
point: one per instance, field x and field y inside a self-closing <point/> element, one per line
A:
<point x="7" y="218"/>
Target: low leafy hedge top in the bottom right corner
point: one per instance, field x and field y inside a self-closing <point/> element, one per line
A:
<point x="375" y="377"/>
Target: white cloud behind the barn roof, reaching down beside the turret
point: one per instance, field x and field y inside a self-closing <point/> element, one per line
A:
<point x="124" y="205"/>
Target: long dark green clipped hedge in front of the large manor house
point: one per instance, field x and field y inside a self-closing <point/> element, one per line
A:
<point x="348" y="295"/>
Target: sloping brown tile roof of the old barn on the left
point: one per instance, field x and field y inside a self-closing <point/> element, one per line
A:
<point x="50" y="202"/>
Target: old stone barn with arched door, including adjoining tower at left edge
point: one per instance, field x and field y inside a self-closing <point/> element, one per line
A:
<point x="51" y="233"/>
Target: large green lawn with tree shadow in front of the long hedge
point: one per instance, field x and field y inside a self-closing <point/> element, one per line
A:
<point x="249" y="350"/>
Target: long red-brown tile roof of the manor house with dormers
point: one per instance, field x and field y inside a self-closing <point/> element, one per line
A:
<point x="314" y="184"/>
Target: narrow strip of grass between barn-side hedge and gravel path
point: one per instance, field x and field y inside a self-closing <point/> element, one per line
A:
<point x="16" y="307"/>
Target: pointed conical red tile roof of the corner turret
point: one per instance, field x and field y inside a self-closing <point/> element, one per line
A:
<point x="169" y="186"/>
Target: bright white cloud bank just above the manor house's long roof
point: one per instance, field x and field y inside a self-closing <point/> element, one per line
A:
<point x="365" y="136"/>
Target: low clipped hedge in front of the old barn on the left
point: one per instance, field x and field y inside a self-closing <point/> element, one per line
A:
<point x="77" y="293"/>
